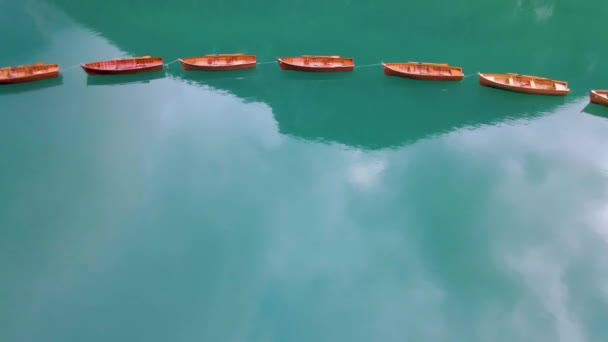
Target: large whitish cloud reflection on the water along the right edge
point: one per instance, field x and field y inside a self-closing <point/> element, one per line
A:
<point x="554" y="212"/>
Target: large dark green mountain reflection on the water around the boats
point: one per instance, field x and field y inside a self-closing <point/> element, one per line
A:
<point x="364" y="108"/>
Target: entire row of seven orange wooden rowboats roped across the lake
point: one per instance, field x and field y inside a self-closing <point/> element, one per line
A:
<point x="228" y="62"/>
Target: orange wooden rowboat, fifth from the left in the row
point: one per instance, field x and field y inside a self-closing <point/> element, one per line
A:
<point x="423" y="71"/>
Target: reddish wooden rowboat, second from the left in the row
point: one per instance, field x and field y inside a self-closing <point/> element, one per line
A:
<point x="124" y="66"/>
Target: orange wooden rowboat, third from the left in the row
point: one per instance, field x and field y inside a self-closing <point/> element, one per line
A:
<point x="225" y="62"/>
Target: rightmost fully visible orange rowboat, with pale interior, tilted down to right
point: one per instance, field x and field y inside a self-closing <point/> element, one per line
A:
<point x="524" y="84"/>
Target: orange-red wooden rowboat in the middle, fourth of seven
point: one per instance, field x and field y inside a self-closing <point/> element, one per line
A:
<point x="317" y="63"/>
